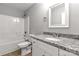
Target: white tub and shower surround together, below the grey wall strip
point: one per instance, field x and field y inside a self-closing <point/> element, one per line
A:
<point x="11" y="33"/>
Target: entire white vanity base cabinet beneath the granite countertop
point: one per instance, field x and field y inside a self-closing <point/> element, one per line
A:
<point x="40" y="48"/>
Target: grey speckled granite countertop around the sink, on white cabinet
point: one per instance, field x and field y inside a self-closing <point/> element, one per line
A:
<point x="70" y="45"/>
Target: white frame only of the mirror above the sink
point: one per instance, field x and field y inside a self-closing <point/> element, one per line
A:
<point x="66" y="16"/>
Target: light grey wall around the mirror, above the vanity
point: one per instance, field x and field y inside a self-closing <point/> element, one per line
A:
<point x="37" y="24"/>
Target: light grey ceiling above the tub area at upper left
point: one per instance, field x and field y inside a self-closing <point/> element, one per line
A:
<point x="21" y="6"/>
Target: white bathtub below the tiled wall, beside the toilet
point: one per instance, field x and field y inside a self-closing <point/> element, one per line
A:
<point x="9" y="47"/>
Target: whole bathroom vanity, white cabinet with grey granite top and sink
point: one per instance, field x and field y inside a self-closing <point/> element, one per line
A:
<point x="53" y="46"/>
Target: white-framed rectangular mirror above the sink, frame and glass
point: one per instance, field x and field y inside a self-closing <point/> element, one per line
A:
<point x="59" y="15"/>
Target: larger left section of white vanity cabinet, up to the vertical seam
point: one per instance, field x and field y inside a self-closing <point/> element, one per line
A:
<point x="43" y="49"/>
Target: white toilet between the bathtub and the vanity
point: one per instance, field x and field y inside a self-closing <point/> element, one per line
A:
<point x="25" y="47"/>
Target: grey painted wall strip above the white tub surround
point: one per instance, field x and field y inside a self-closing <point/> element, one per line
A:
<point x="10" y="11"/>
